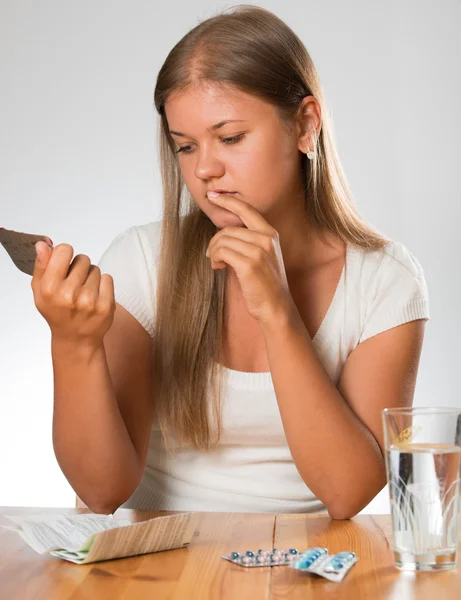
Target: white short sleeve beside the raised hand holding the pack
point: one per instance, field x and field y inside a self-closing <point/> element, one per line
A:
<point x="131" y="260"/>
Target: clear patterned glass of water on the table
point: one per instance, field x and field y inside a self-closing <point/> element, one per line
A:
<point x="423" y="459"/>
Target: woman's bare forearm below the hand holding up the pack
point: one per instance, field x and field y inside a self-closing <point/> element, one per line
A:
<point x="90" y="439"/>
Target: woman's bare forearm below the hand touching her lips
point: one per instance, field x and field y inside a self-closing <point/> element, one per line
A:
<point x="335" y="453"/>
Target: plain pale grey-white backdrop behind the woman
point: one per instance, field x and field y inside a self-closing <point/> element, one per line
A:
<point x="79" y="164"/>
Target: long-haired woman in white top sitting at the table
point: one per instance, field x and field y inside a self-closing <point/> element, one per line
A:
<point x="259" y="329"/>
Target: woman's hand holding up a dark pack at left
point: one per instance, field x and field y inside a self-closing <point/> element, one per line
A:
<point x="75" y="299"/>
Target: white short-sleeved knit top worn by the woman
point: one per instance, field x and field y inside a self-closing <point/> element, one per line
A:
<point x="252" y="469"/>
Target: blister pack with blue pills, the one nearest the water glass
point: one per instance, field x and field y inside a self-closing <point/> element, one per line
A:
<point x="331" y="566"/>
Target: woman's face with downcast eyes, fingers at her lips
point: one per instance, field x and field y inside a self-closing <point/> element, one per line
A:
<point x="254" y="157"/>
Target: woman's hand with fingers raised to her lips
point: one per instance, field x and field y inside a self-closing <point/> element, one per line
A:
<point x="256" y="257"/>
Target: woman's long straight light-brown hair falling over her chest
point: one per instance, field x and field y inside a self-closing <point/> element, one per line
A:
<point x="253" y="50"/>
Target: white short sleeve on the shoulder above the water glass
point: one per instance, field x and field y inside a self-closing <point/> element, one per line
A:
<point x="397" y="292"/>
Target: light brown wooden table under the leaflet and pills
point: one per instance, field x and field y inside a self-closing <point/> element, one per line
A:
<point x="198" y="572"/>
